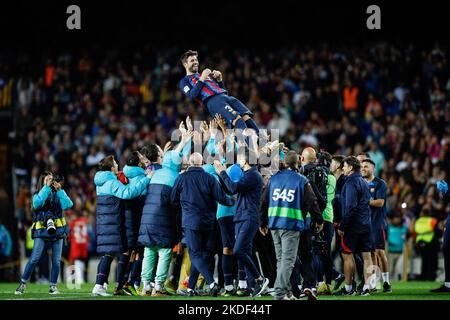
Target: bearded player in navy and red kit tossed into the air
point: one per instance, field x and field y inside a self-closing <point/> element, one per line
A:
<point x="208" y="88"/>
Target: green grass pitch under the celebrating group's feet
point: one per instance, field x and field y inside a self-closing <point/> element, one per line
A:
<point x="413" y="290"/>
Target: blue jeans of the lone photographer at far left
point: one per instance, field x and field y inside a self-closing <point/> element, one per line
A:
<point x="39" y="246"/>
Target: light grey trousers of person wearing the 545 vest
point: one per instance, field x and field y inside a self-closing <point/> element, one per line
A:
<point x="286" y="245"/>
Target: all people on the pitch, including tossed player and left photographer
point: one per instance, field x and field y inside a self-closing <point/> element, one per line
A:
<point x="149" y="208"/>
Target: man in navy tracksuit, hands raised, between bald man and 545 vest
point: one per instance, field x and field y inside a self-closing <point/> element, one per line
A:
<point x="246" y="219"/>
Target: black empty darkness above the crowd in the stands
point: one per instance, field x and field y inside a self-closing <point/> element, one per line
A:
<point x="37" y="25"/>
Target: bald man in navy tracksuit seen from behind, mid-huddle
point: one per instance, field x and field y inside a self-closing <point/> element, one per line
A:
<point x="197" y="191"/>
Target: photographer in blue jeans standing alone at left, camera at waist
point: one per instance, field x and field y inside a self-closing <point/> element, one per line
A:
<point x="49" y="227"/>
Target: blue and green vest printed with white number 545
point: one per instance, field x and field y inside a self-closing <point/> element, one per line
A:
<point x="286" y="194"/>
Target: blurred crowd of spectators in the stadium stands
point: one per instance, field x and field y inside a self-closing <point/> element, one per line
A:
<point x="391" y="102"/>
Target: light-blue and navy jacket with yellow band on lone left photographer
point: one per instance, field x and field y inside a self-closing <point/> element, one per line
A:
<point x="50" y="204"/>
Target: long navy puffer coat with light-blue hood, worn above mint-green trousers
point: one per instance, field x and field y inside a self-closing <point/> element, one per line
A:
<point x="159" y="217"/>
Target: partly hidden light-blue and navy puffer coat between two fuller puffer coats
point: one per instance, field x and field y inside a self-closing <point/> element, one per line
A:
<point x="133" y="208"/>
